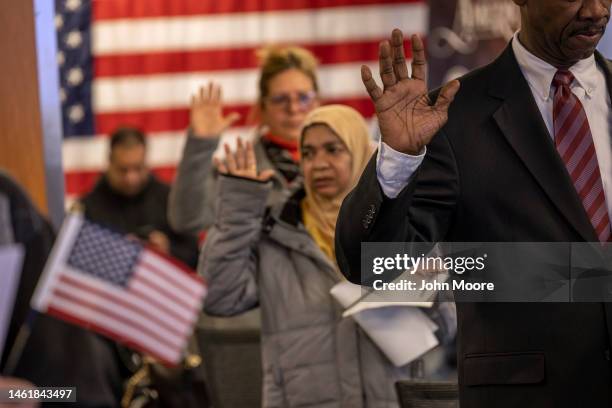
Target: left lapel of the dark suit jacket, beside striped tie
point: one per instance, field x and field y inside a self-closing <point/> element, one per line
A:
<point x="520" y="121"/>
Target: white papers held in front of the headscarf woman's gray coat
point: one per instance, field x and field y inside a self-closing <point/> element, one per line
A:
<point x="400" y="329"/>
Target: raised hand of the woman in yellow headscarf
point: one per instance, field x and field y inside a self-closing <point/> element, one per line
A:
<point x="242" y="163"/>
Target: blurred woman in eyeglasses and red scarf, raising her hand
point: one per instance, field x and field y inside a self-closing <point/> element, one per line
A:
<point x="287" y="93"/>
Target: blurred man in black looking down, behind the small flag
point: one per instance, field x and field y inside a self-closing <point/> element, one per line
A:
<point x="129" y="199"/>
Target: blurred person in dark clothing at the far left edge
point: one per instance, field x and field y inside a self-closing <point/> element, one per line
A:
<point x="55" y="354"/>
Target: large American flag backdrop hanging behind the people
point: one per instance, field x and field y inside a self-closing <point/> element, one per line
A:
<point x="136" y="62"/>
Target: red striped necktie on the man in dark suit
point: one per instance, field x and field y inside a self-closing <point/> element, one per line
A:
<point x="574" y="143"/>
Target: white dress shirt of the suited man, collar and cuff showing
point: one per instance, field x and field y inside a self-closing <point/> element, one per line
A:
<point x="394" y="168"/>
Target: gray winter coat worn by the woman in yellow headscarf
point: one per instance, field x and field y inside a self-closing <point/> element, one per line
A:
<point x="312" y="357"/>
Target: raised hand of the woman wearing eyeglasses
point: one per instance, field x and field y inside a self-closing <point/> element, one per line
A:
<point x="207" y="120"/>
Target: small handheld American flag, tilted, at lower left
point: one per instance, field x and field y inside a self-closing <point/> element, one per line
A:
<point x="107" y="283"/>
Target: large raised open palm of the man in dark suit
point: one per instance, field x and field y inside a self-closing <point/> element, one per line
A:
<point x="406" y="118"/>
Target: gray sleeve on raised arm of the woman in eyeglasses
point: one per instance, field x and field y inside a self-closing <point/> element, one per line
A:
<point x="191" y="205"/>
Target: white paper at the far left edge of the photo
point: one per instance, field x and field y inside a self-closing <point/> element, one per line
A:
<point x="11" y="258"/>
